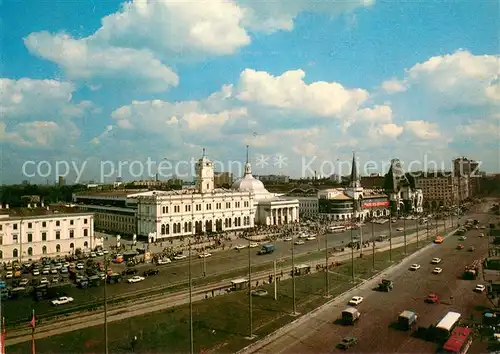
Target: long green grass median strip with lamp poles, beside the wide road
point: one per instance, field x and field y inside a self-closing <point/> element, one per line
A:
<point x="220" y="323"/>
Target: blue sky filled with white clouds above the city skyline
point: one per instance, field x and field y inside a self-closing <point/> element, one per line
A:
<point x="95" y="90"/>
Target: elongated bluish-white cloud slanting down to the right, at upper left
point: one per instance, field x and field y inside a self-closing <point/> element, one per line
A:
<point x="86" y="60"/>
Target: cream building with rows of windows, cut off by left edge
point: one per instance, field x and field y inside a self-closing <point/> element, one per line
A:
<point x="35" y="232"/>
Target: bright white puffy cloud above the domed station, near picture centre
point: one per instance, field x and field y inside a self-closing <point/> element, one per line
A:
<point x="289" y="91"/>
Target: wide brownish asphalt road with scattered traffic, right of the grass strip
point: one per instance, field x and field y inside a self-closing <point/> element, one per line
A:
<point x="320" y="333"/>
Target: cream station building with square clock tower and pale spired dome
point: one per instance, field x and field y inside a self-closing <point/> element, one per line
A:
<point x="205" y="209"/>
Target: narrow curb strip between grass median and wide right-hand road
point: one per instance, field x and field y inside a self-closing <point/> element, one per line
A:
<point x="261" y="342"/>
